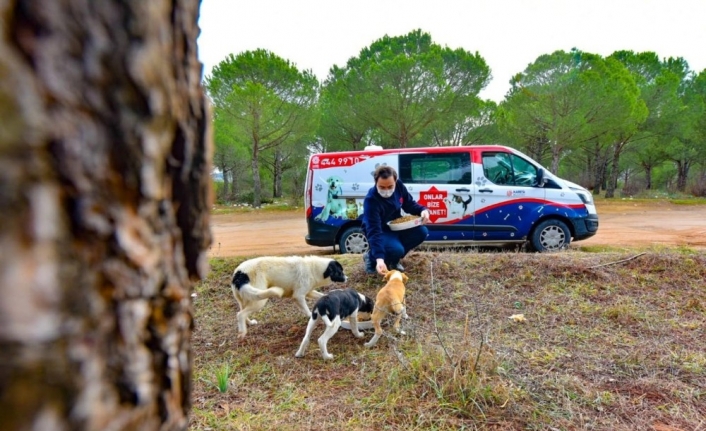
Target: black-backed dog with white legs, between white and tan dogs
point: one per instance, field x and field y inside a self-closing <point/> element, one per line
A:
<point x="331" y="308"/>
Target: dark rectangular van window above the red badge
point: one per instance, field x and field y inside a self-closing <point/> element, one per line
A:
<point x="440" y="168"/>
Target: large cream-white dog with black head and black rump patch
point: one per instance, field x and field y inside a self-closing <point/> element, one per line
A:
<point x="257" y="280"/>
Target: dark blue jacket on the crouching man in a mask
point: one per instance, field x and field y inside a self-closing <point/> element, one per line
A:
<point x="377" y="211"/>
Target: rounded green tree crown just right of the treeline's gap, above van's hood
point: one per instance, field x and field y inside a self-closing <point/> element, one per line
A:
<point x="567" y="101"/>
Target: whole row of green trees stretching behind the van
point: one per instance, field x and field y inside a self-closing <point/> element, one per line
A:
<point x="626" y="123"/>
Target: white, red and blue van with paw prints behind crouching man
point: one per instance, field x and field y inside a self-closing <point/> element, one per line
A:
<point x="476" y="195"/>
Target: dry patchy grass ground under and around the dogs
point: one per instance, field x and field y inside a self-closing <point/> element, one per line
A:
<point x="609" y="343"/>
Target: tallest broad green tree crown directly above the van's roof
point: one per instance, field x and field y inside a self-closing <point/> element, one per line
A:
<point x="397" y="88"/>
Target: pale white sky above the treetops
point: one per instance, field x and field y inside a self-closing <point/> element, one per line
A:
<point x="509" y="34"/>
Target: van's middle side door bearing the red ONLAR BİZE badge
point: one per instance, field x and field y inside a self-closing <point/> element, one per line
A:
<point x="442" y="182"/>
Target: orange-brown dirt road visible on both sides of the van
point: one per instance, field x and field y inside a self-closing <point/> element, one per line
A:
<point x="621" y="223"/>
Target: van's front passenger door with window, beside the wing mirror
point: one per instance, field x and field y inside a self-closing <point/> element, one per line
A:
<point x="507" y="197"/>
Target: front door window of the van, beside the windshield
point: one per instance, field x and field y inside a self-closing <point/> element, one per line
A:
<point x="509" y="169"/>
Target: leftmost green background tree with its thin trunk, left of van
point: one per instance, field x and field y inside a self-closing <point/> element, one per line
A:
<point x="262" y="102"/>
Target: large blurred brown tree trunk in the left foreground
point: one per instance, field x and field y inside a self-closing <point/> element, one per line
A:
<point x="104" y="180"/>
